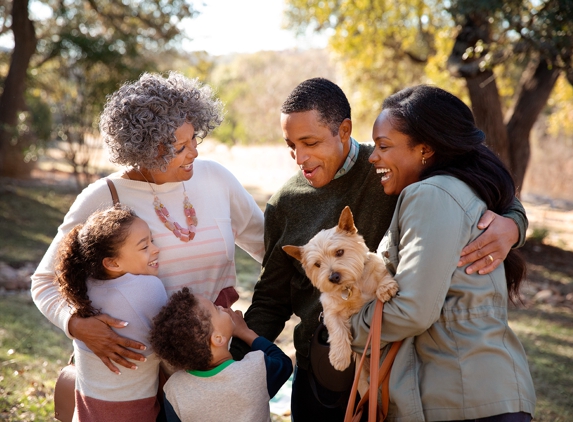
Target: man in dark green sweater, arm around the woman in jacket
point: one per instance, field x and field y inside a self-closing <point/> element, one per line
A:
<point x="334" y="172"/>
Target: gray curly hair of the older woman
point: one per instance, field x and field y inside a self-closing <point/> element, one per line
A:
<point x="139" y="120"/>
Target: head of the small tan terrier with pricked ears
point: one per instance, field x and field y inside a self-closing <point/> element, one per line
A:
<point x="333" y="259"/>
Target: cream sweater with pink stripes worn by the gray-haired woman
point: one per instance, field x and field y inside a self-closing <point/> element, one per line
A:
<point x="226" y="213"/>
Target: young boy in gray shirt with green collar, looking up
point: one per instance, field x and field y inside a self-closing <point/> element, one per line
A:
<point x="193" y="335"/>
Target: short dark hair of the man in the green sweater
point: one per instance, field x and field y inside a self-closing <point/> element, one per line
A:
<point x="323" y="96"/>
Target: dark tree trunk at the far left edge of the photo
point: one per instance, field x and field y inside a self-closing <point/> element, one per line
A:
<point x="12" y="99"/>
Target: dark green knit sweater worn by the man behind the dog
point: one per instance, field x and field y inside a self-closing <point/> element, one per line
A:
<point x="293" y="216"/>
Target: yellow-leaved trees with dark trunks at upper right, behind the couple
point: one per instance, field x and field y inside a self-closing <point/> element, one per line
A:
<point x="504" y="56"/>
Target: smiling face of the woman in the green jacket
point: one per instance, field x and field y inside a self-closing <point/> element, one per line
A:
<point x="398" y="163"/>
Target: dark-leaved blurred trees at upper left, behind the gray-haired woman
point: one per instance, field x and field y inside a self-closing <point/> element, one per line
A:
<point x="67" y="56"/>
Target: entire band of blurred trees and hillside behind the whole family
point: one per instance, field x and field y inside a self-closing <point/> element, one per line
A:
<point x="510" y="60"/>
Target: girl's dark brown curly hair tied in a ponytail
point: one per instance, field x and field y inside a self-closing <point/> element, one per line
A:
<point x="82" y="251"/>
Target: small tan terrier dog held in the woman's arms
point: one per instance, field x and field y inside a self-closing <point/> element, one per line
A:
<point x="348" y="275"/>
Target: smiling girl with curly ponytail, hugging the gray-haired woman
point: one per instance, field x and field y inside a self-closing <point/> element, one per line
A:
<point x="109" y="264"/>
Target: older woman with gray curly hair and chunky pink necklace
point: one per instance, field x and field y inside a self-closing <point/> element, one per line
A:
<point x="196" y="209"/>
